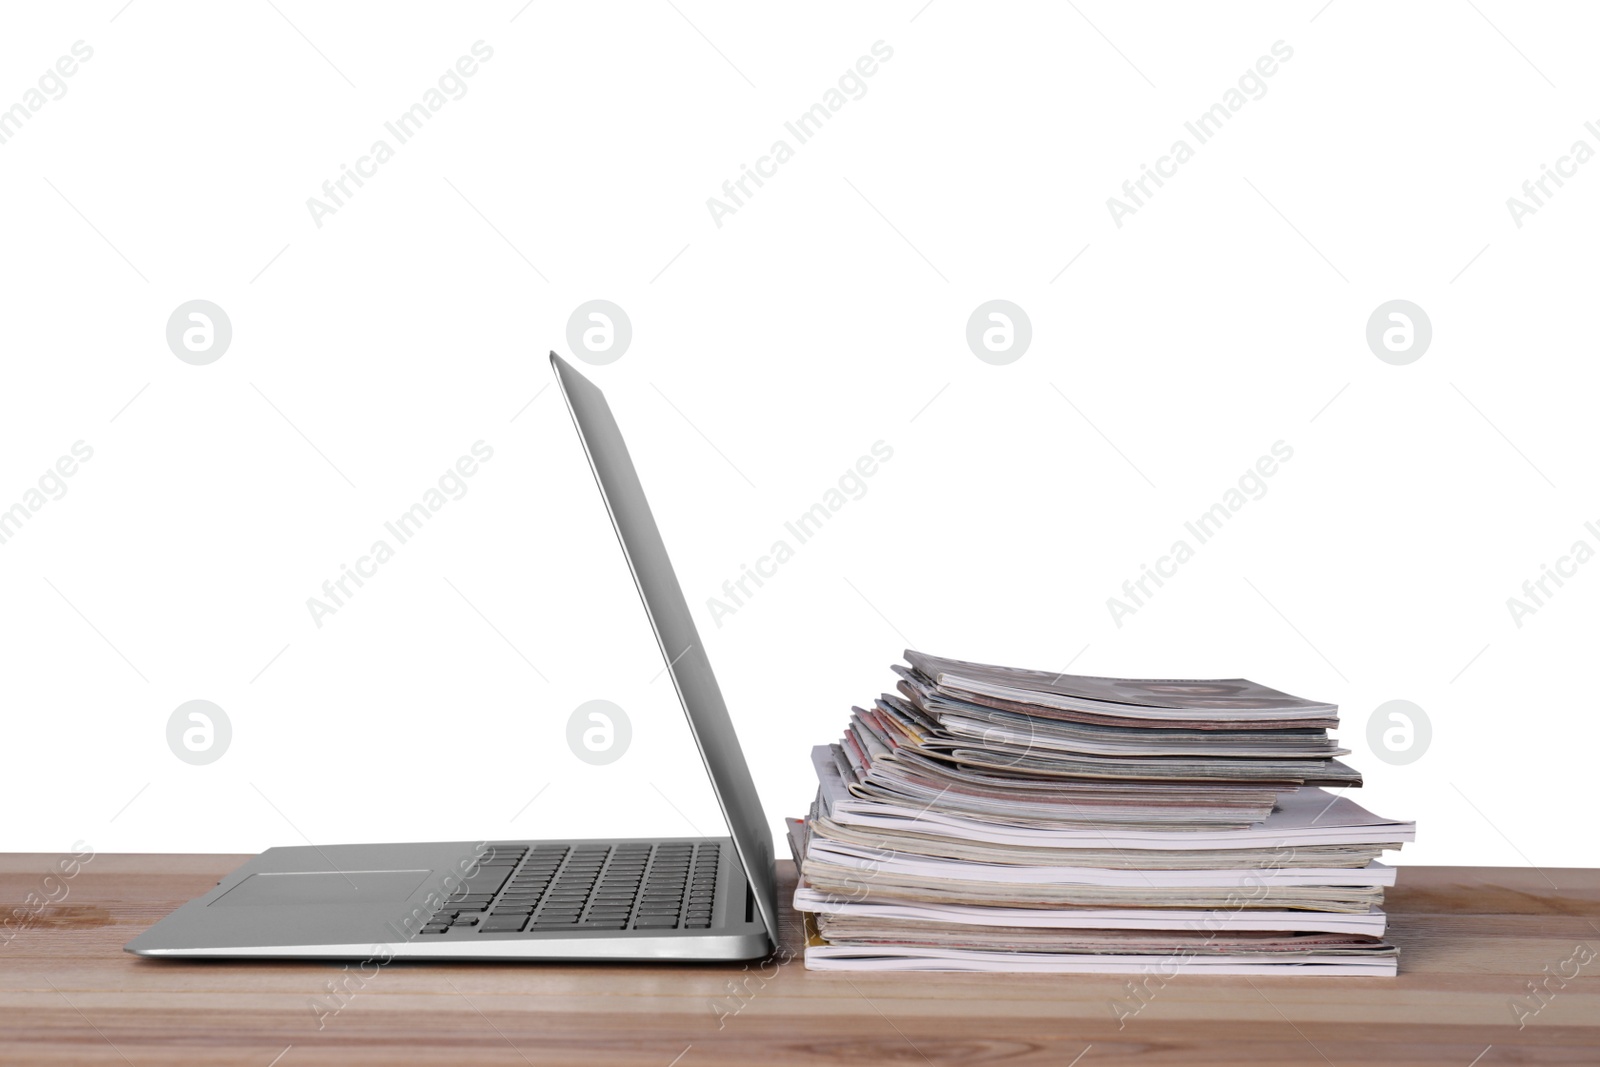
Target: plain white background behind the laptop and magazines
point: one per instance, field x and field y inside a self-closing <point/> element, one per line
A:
<point x="770" y="354"/>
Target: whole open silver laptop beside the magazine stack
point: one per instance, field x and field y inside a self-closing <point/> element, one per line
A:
<point x="633" y="898"/>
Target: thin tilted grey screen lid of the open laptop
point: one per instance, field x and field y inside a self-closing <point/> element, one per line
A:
<point x="676" y="634"/>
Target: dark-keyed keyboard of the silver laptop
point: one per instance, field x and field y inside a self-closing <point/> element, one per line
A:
<point x="668" y="885"/>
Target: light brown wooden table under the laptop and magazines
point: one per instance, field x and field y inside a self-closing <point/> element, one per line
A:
<point x="1473" y="938"/>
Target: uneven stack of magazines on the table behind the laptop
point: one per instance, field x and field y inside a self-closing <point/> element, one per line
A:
<point x="1001" y="820"/>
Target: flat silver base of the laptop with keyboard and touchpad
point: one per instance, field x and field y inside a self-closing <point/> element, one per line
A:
<point x="559" y="900"/>
